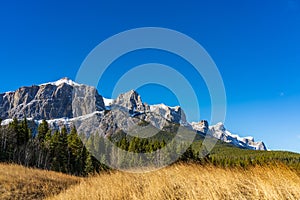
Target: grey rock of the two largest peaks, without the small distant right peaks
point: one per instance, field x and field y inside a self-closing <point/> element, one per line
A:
<point x="65" y="101"/>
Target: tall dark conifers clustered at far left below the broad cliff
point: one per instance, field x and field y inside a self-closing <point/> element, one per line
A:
<point x="58" y="151"/>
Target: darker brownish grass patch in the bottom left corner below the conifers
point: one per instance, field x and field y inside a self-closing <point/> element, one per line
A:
<point x="17" y="182"/>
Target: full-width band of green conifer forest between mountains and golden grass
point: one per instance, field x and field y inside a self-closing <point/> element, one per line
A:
<point x="73" y="153"/>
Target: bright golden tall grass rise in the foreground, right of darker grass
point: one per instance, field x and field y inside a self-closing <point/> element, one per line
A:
<point x="190" y="181"/>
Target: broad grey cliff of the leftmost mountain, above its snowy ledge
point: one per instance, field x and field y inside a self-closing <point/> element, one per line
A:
<point x="50" y="101"/>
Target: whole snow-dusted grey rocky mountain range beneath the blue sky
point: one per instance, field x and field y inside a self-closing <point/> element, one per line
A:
<point x="65" y="102"/>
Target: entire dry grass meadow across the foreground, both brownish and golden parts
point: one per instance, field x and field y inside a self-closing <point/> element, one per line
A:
<point x="178" y="181"/>
